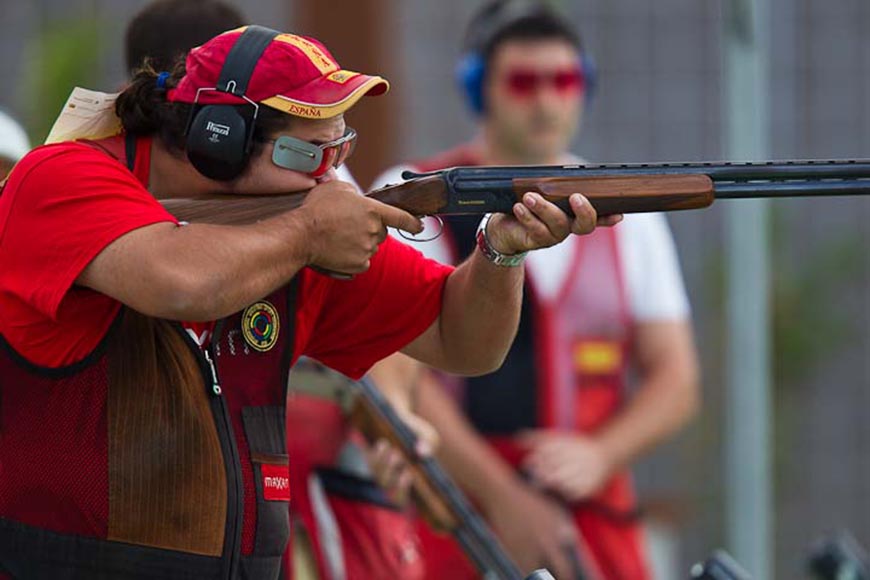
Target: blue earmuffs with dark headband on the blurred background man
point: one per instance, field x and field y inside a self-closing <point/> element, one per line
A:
<point x="471" y="69"/>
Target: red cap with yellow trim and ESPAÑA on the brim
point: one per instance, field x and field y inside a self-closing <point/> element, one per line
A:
<point x="295" y="74"/>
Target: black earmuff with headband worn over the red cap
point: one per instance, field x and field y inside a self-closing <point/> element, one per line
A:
<point x="219" y="137"/>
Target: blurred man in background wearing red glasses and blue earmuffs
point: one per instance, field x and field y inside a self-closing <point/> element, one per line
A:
<point x="545" y="442"/>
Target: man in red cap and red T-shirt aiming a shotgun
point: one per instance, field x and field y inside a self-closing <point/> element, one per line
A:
<point x="143" y="361"/>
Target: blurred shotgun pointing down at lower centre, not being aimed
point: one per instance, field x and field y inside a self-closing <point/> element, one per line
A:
<point x="436" y="496"/>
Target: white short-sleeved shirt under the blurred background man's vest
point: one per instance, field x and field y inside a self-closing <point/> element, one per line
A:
<point x="649" y="263"/>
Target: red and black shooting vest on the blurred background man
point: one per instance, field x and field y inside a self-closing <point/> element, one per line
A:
<point x="566" y="370"/>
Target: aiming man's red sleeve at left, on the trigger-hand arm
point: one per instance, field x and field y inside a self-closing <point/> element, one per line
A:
<point x="61" y="207"/>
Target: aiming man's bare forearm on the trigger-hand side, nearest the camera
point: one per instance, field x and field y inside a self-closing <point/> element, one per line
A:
<point x="198" y="271"/>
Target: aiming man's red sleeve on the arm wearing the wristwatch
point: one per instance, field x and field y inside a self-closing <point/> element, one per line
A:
<point x="377" y="313"/>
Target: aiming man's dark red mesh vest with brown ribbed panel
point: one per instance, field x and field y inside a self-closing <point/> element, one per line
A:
<point x="152" y="457"/>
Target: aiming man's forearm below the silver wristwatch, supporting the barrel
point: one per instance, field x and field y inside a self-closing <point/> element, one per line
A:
<point x="479" y="315"/>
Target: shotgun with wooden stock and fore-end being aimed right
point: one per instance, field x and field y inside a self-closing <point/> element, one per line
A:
<point x="611" y="188"/>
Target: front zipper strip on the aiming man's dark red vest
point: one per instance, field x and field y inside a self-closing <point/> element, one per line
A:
<point x="232" y="531"/>
